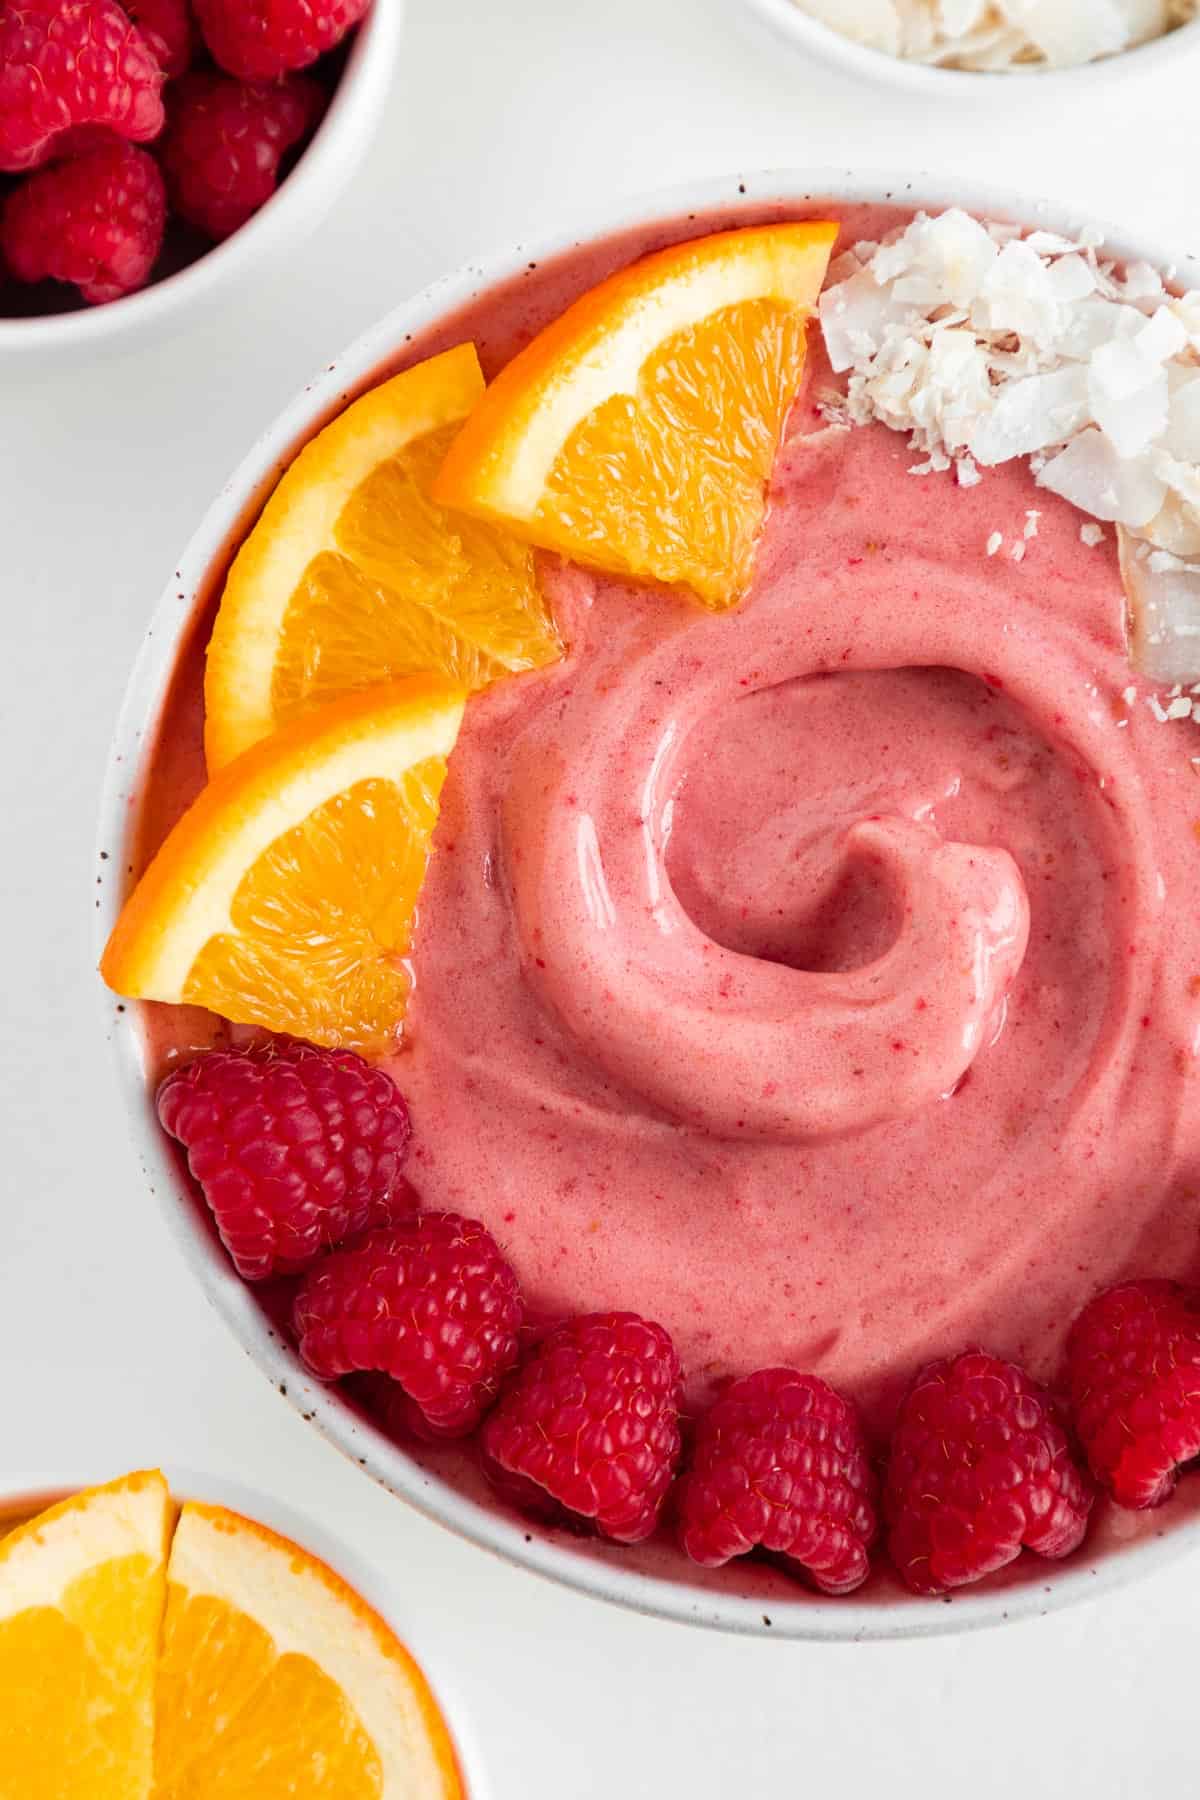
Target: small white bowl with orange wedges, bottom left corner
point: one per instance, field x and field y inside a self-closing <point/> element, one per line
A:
<point x="202" y="1639"/>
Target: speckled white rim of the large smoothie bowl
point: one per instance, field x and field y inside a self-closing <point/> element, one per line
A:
<point x="744" y="1597"/>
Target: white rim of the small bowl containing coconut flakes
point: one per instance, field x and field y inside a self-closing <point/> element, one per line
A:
<point x="809" y="37"/>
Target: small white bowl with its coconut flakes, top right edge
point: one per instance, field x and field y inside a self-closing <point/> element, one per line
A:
<point x="972" y="46"/>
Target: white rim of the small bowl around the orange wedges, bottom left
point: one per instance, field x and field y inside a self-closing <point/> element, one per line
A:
<point x="30" y="1493"/>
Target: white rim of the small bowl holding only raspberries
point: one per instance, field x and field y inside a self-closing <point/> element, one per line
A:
<point x="292" y="213"/>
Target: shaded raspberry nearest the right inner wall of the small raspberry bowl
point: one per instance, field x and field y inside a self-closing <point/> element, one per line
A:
<point x="226" y="141"/>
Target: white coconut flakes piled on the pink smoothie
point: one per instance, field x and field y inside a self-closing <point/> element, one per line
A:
<point x="983" y="345"/>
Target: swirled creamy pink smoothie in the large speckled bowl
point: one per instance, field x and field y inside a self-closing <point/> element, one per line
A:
<point x="821" y="978"/>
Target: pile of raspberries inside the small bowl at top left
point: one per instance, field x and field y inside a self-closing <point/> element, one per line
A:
<point x="85" y="84"/>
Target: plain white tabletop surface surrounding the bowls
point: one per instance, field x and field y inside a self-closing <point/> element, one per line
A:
<point x="510" y="118"/>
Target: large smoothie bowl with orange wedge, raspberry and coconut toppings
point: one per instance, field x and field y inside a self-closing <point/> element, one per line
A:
<point x="654" y="942"/>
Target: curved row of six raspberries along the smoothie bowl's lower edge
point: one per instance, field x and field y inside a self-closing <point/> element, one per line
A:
<point x="301" y="1151"/>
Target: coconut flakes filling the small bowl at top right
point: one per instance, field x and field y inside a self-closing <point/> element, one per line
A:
<point x="1003" y="37"/>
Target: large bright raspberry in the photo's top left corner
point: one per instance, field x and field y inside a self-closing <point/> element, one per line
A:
<point x="69" y="64"/>
